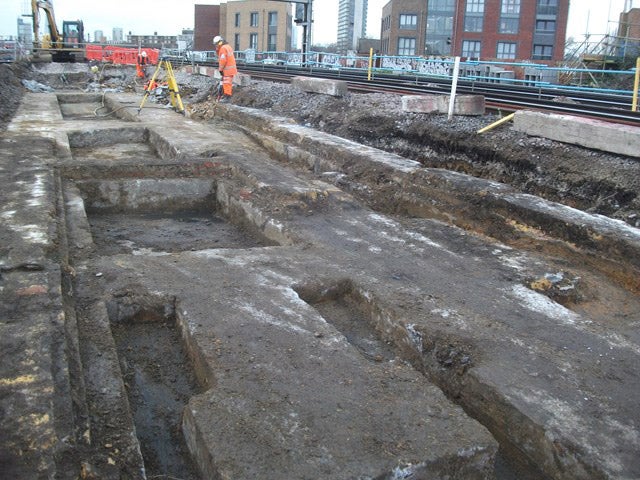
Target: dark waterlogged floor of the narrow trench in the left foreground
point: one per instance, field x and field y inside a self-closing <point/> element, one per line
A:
<point x="159" y="382"/>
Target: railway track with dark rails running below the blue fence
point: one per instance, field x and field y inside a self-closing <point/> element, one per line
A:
<point x="603" y="106"/>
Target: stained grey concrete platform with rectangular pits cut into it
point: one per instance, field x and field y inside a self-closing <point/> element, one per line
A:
<point x="345" y="341"/>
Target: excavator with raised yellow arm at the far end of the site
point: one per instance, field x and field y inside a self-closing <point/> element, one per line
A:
<point x="67" y="46"/>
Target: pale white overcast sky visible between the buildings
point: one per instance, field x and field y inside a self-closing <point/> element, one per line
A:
<point x="169" y="17"/>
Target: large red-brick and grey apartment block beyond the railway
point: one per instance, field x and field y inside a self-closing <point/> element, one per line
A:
<point x="487" y="29"/>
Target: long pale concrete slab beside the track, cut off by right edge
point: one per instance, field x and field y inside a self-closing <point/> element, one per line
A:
<point x="590" y="133"/>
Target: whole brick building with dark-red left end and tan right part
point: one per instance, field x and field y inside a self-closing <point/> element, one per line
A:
<point x="257" y="24"/>
